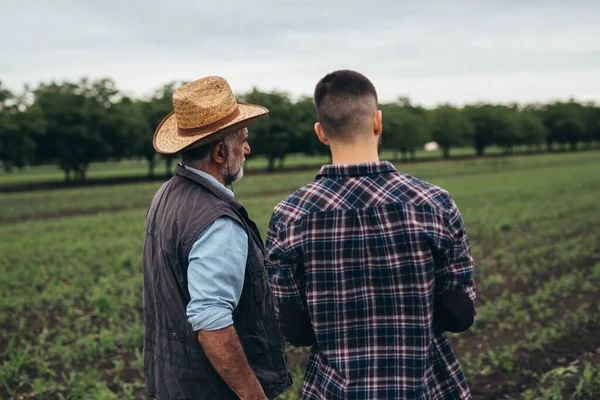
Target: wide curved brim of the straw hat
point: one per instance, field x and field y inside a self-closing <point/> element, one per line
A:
<point x="168" y="140"/>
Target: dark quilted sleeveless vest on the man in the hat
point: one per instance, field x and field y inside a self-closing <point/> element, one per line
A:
<point x="175" y="367"/>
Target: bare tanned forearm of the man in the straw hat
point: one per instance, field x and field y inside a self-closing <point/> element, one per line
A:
<point x="223" y="349"/>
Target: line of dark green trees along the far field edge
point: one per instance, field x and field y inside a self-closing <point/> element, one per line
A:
<point x="72" y="124"/>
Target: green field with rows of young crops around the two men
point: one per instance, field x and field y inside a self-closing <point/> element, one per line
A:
<point x="70" y="263"/>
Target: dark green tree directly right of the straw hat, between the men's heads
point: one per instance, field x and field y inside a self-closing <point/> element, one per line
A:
<point x="271" y="136"/>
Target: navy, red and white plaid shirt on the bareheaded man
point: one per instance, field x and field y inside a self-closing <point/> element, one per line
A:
<point x="360" y="253"/>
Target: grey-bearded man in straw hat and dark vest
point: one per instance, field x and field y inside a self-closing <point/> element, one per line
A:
<point x="210" y="330"/>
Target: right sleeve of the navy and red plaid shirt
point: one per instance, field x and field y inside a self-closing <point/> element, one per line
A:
<point x="457" y="272"/>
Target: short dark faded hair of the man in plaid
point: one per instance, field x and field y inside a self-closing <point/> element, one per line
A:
<point x="343" y="99"/>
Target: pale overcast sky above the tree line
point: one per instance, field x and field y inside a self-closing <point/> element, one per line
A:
<point x="431" y="51"/>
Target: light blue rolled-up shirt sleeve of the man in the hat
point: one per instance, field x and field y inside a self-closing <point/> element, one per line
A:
<point x="216" y="269"/>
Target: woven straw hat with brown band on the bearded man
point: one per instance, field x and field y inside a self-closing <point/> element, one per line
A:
<point x="204" y="111"/>
